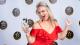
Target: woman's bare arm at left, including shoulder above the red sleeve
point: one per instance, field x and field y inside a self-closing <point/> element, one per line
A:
<point x="31" y="39"/>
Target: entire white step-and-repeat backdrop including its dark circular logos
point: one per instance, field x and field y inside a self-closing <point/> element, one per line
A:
<point x="13" y="13"/>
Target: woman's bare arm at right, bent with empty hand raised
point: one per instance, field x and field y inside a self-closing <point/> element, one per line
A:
<point x="63" y="34"/>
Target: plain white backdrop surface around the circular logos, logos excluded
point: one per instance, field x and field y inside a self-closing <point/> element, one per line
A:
<point x="28" y="11"/>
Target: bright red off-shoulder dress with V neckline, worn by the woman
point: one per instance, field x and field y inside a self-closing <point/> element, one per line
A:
<point x="43" y="37"/>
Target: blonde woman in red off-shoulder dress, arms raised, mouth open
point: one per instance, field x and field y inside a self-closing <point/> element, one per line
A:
<point x="46" y="30"/>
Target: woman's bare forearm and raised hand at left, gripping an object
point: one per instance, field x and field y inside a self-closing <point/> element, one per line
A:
<point x="26" y="29"/>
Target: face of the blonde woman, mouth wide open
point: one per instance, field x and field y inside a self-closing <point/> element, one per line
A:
<point x="43" y="13"/>
